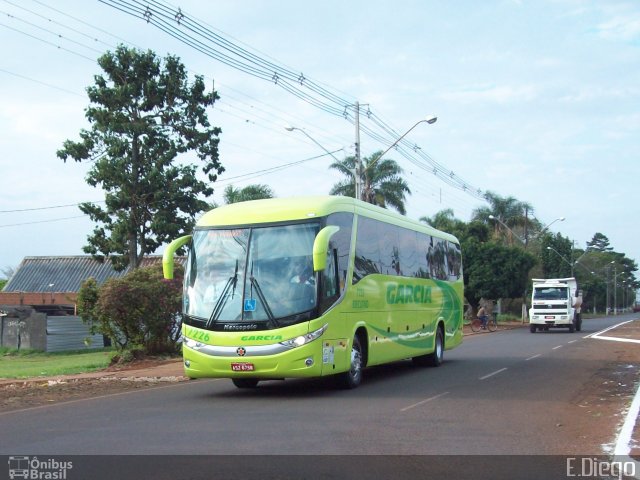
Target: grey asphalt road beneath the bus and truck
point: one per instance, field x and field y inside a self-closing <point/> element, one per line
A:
<point x="506" y="393"/>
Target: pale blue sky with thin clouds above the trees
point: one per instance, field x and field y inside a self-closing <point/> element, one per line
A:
<point x="538" y="100"/>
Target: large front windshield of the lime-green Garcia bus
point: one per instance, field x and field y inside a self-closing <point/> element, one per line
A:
<point x="245" y="276"/>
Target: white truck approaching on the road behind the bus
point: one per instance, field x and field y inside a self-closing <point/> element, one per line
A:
<point x="555" y="303"/>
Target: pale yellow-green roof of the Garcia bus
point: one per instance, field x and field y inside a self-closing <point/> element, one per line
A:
<point x="275" y="210"/>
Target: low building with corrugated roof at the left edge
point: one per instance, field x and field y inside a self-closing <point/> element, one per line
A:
<point x="38" y="305"/>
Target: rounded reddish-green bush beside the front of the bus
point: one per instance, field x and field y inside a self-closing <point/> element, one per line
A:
<point x="140" y="312"/>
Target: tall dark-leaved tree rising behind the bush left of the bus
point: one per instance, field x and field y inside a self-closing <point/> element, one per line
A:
<point x="144" y="112"/>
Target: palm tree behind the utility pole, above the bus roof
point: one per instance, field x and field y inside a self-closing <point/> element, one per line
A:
<point x="382" y="183"/>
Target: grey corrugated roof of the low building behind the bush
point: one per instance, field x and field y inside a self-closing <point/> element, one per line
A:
<point x="64" y="274"/>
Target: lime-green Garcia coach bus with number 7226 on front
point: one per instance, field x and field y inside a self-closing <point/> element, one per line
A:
<point x="315" y="286"/>
